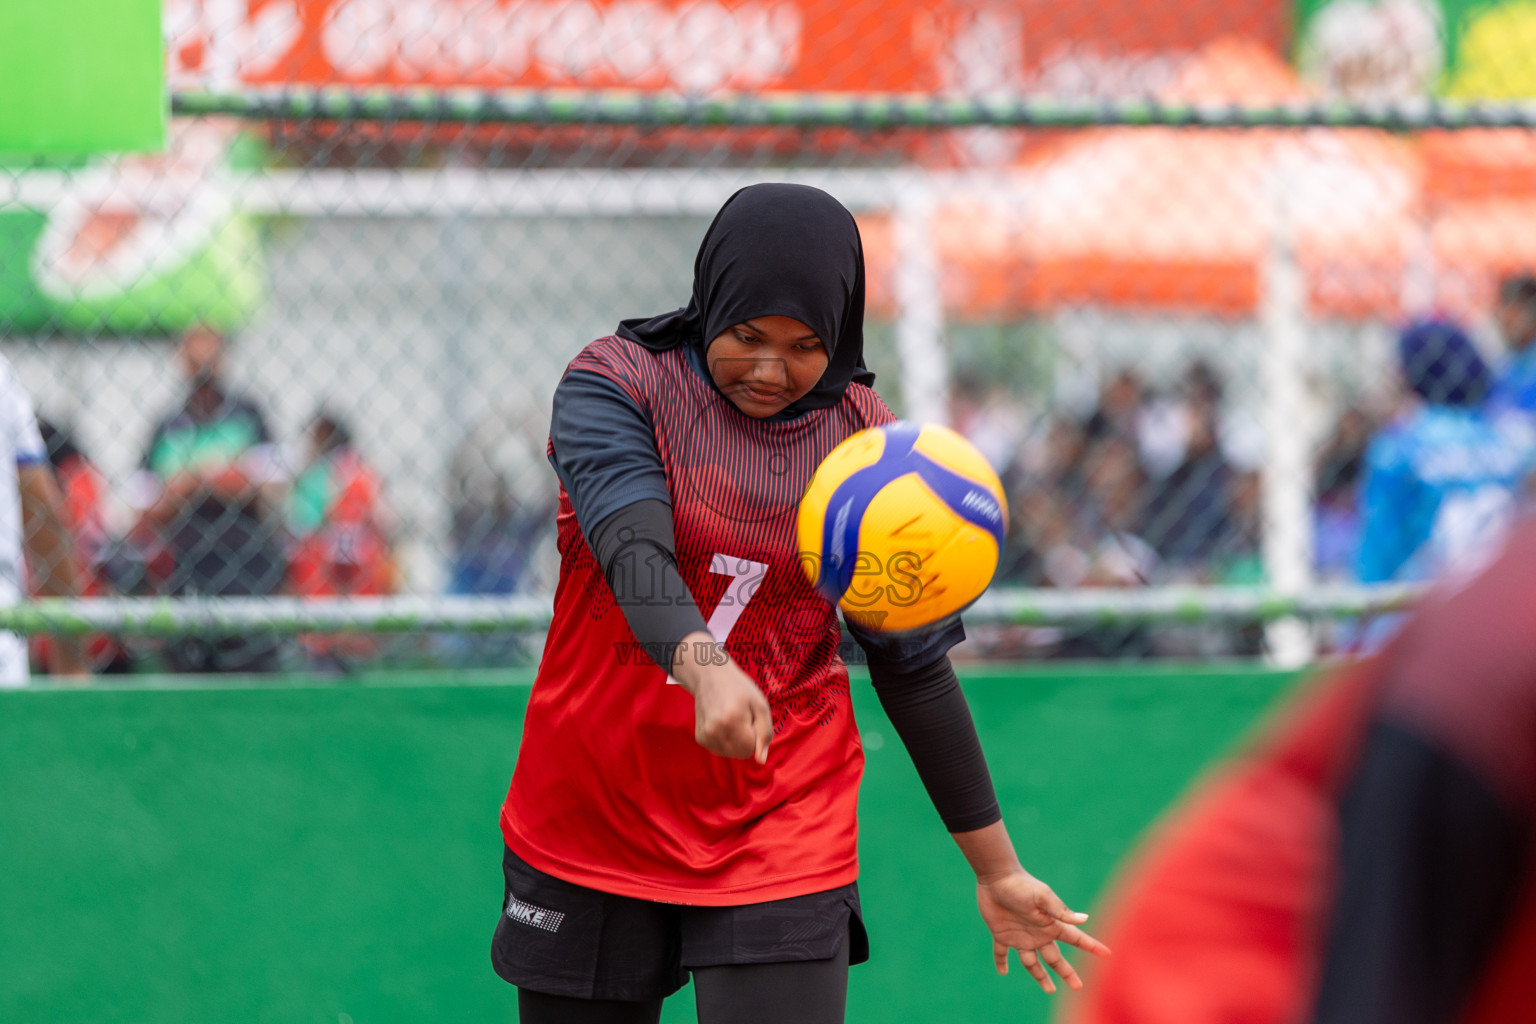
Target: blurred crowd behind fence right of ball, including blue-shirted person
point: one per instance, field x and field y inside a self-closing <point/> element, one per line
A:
<point x="1422" y="477"/>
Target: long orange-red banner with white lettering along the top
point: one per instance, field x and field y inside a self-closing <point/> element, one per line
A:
<point x="975" y="47"/>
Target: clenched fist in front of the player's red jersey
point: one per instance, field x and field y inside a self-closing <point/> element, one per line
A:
<point x="732" y="716"/>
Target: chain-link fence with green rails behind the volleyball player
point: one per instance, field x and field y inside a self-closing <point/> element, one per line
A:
<point x="1151" y="259"/>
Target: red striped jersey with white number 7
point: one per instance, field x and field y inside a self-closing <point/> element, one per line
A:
<point x="611" y="790"/>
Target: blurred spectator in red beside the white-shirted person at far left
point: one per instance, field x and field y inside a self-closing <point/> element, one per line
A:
<point x="85" y="498"/>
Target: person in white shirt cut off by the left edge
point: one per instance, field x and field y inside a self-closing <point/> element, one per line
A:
<point x="33" y="520"/>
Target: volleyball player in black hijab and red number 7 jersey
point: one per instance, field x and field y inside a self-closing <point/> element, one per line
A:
<point x="709" y="827"/>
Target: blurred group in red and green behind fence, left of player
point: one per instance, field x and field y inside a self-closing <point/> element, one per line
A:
<point x="220" y="510"/>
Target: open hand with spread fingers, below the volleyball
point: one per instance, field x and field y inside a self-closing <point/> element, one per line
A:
<point x="1024" y="914"/>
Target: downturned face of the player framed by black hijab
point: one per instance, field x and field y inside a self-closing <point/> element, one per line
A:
<point x="767" y="363"/>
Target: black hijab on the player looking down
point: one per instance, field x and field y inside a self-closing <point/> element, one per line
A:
<point x="776" y="251"/>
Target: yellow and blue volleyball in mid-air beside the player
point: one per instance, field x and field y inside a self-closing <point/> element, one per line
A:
<point x="902" y="526"/>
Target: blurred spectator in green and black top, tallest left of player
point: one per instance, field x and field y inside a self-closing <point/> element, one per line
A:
<point x="216" y="484"/>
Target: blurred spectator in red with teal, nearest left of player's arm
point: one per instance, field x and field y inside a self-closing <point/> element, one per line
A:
<point x="337" y="520"/>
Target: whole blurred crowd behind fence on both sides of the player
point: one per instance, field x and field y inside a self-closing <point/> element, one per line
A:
<point x="1151" y="487"/>
